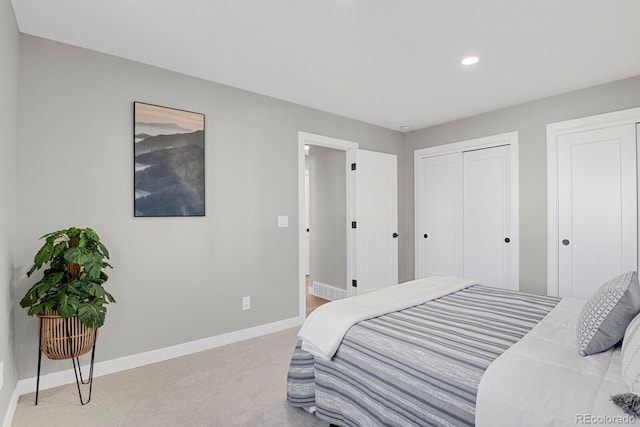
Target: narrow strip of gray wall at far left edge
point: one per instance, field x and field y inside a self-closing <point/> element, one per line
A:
<point x="9" y="55"/>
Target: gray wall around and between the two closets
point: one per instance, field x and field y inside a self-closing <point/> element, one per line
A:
<point x="530" y="121"/>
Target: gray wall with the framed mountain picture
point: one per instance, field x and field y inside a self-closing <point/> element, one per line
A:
<point x="176" y="279"/>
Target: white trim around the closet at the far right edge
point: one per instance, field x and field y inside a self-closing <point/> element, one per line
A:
<point x="554" y="130"/>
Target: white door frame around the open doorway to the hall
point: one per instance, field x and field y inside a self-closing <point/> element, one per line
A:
<point x="306" y="138"/>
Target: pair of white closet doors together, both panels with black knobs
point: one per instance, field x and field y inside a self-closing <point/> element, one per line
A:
<point x="466" y="203"/>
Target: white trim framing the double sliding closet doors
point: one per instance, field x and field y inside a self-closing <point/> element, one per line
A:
<point x="509" y="138"/>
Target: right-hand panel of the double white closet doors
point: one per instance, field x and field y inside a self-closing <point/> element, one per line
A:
<point x="487" y="239"/>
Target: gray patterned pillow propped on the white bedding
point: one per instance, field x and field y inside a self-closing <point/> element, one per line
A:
<point x="608" y="312"/>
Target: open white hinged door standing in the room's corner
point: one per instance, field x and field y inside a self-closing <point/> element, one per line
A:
<point x="375" y="216"/>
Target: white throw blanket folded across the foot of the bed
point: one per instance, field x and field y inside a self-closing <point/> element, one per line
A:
<point x="323" y="330"/>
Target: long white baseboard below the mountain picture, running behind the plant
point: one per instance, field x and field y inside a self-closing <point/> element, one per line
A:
<point x="134" y="361"/>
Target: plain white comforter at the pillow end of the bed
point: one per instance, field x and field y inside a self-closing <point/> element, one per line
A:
<point x="543" y="381"/>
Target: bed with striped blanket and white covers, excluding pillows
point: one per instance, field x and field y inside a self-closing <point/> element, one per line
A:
<point x="452" y="352"/>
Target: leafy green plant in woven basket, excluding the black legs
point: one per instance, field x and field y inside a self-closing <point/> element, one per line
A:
<point x="70" y="298"/>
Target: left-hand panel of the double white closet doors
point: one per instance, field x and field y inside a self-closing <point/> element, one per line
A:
<point x="439" y="226"/>
